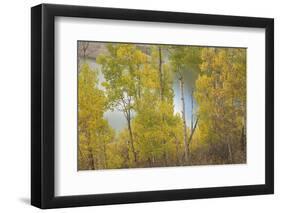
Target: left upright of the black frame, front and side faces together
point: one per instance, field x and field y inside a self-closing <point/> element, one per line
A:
<point x="42" y="94"/>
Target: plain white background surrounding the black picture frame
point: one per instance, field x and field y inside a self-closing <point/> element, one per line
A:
<point x="15" y="105"/>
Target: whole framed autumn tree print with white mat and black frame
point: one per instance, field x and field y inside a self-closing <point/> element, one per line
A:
<point x="139" y="106"/>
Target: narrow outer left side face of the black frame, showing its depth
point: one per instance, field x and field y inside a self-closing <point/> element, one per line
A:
<point x="36" y="155"/>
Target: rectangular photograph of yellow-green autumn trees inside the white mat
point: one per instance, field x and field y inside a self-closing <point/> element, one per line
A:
<point x="160" y="105"/>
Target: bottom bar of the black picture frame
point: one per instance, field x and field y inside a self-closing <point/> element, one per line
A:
<point x="158" y="196"/>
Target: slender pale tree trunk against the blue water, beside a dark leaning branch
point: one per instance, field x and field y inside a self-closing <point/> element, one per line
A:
<point x="186" y="145"/>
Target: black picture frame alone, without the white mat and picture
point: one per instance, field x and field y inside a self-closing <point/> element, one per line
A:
<point x="43" y="105"/>
